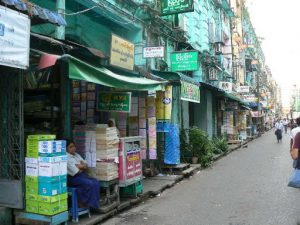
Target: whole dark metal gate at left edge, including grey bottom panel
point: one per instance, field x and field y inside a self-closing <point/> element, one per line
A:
<point x="11" y="138"/>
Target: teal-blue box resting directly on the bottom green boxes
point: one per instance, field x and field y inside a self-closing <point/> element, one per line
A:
<point x="52" y="188"/>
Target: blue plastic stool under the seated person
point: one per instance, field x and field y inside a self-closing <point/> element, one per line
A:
<point x="75" y="211"/>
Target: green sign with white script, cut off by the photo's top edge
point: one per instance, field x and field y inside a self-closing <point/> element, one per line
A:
<point x="169" y="7"/>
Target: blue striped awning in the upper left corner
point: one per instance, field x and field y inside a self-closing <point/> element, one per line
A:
<point x="34" y="10"/>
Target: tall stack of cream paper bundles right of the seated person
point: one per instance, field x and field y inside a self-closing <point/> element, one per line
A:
<point x="107" y="148"/>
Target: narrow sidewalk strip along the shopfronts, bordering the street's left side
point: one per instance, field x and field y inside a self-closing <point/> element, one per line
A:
<point x="153" y="186"/>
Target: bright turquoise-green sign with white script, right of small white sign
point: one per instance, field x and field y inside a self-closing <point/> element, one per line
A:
<point x="184" y="61"/>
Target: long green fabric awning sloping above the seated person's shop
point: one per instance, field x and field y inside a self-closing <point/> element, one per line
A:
<point x="80" y="70"/>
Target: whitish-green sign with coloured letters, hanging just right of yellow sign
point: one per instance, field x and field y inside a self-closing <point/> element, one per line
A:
<point x="190" y="92"/>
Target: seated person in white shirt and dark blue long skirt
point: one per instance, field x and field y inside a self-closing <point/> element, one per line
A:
<point x="89" y="188"/>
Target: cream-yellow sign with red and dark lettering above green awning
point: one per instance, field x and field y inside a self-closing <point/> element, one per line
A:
<point x="121" y="53"/>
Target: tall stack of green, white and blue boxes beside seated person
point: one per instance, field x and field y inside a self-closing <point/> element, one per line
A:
<point x="46" y="175"/>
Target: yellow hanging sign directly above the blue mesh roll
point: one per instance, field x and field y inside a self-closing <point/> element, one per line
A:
<point x="164" y="104"/>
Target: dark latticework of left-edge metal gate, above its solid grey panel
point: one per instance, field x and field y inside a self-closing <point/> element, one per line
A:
<point x="11" y="126"/>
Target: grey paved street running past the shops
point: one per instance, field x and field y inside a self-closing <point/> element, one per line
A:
<point x="248" y="187"/>
